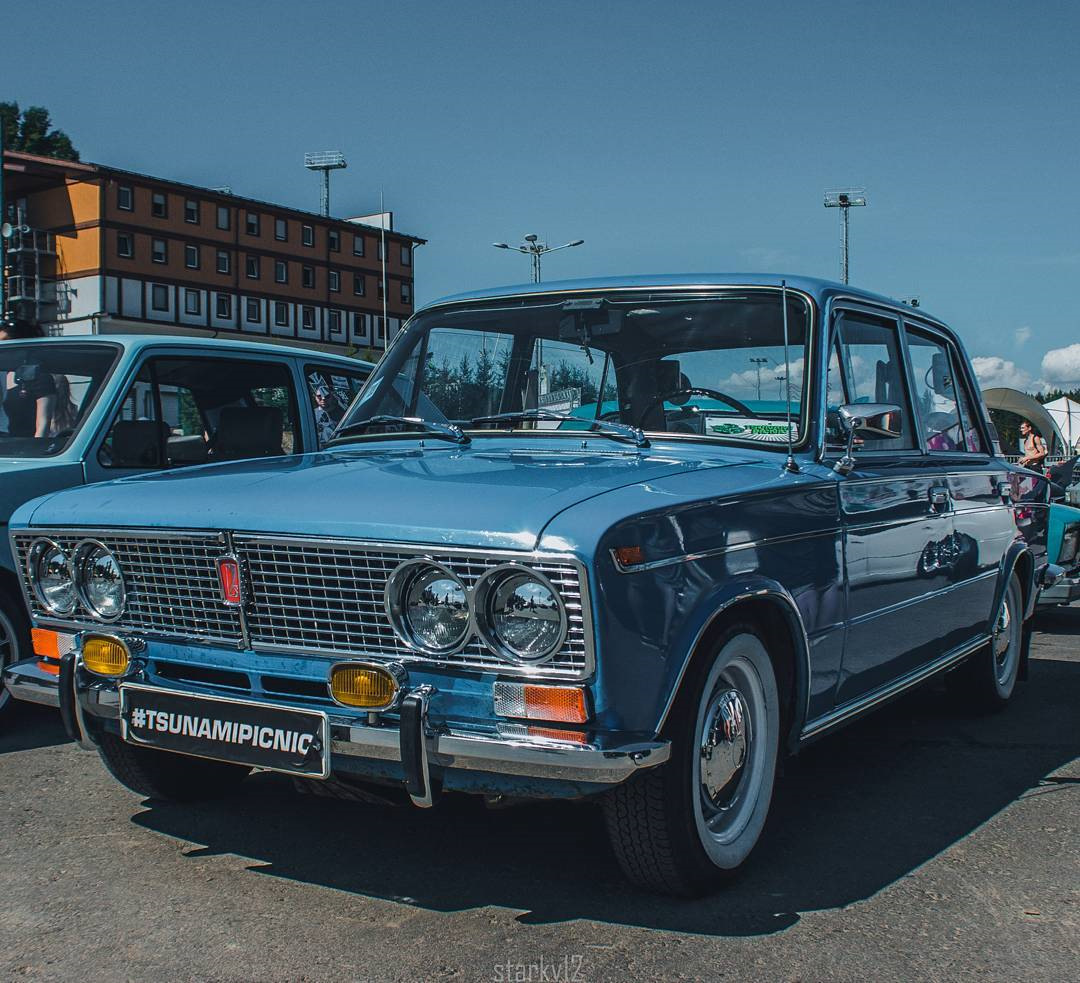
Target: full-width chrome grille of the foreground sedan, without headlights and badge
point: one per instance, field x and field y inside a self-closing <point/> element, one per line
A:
<point x="304" y="596"/>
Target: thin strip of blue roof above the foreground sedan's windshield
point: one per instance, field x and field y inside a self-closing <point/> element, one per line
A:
<point x="820" y="290"/>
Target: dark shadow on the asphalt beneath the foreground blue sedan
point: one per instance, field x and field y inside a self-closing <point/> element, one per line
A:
<point x="854" y="814"/>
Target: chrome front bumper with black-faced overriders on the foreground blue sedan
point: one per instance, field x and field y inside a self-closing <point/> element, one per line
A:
<point x="413" y="742"/>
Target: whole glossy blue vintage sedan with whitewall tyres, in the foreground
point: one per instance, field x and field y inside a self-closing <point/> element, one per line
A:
<point x="631" y="540"/>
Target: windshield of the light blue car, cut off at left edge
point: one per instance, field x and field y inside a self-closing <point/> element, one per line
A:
<point x="48" y="390"/>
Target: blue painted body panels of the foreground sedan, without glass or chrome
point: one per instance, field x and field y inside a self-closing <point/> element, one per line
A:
<point x="867" y="581"/>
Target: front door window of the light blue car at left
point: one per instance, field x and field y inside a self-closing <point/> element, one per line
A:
<point x="191" y="411"/>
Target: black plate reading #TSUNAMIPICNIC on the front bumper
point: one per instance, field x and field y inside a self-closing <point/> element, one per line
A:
<point x="245" y="733"/>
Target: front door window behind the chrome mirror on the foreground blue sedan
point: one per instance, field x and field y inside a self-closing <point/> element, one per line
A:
<point x="867" y="367"/>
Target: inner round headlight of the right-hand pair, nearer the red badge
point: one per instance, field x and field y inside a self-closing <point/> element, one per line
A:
<point x="428" y="608"/>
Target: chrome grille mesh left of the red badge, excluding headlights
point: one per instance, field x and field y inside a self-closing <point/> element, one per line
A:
<point x="171" y="581"/>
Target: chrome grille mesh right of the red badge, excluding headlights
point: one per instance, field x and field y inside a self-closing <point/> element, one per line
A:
<point x="320" y="596"/>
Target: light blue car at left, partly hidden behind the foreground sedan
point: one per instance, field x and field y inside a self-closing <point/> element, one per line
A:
<point x="83" y="410"/>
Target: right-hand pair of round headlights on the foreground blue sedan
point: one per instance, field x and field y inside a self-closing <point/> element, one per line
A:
<point x="516" y="611"/>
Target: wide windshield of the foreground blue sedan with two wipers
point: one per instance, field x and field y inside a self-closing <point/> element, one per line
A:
<point x="707" y="368"/>
